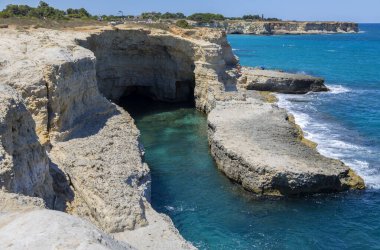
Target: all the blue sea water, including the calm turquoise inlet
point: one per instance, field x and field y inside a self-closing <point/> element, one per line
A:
<point x="214" y="213"/>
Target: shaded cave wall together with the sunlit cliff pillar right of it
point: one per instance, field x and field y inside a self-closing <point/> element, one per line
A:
<point x="161" y="65"/>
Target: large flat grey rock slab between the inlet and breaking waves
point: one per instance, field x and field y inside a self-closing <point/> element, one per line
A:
<point x="254" y="144"/>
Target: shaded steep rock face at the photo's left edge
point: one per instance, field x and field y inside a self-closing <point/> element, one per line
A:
<point x="24" y="165"/>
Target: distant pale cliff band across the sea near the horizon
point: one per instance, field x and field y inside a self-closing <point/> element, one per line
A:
<point x="285" y="27"/>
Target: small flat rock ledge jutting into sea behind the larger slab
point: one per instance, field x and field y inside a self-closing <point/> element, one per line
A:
<point x="281" y="82"/>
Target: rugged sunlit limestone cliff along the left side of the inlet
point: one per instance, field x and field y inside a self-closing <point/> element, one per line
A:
<point x="92" y="144"/>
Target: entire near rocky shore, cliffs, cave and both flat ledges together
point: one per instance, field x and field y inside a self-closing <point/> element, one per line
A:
<point x="66" y="146"/>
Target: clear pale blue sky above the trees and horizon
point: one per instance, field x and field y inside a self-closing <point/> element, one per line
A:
<point x="324" y="10"/>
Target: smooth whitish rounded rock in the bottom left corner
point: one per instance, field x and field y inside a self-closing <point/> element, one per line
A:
<point x="46" y="229"/>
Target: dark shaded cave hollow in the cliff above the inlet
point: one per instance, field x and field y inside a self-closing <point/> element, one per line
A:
<point x="131" y="64"/>
